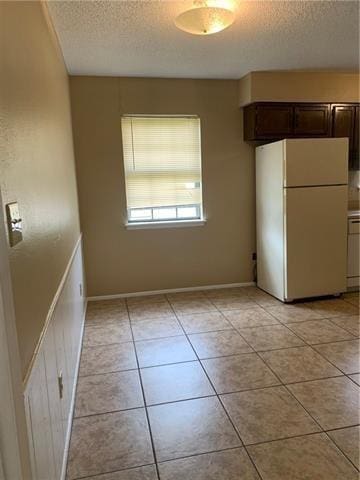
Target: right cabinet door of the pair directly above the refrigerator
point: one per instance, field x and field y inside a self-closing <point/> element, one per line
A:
<point x="312" y="120"/>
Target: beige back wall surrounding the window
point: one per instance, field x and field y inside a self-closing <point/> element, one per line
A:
<point x="119" y="260"/>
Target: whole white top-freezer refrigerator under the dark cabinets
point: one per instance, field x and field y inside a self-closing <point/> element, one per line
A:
<point x="301" y="217"/>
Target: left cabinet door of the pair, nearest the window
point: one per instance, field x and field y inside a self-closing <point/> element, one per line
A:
<point x="274" y="121"/>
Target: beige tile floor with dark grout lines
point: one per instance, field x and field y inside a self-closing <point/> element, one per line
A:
<point x="223" y="384"/>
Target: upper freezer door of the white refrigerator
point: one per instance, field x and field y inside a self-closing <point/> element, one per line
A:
<point x="318" y="161"/>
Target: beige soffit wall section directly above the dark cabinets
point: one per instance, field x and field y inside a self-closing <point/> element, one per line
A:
<point x="299" y="87"/>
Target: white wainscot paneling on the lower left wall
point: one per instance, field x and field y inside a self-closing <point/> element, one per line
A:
<point x="48" y="415"/>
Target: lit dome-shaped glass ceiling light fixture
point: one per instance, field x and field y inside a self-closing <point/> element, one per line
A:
<point x="204" y="19"/>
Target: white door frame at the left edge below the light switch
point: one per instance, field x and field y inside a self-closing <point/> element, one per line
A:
<point x="14" y="448"/>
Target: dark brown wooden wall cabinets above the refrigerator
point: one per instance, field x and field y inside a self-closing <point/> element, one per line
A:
<point x="265" y="122"/>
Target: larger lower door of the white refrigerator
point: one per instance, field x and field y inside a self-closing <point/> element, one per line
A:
<point x="315" y="241"/>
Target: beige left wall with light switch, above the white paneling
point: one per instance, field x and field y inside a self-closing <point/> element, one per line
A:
<point x="36" y="163"/>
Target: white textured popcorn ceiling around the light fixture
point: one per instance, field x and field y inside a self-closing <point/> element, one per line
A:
<point x="138" y="38"/>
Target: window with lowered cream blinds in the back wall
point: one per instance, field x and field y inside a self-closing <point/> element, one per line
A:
<point x="162" y="162"/>
